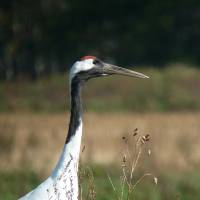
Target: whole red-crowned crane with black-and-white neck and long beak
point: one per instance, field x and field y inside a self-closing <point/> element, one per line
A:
<point x="63" y="182"/>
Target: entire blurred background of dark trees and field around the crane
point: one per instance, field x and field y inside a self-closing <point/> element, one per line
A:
<point x="39" y="41"/>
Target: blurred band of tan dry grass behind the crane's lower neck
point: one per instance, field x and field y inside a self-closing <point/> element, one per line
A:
<point x="36" y="140"/>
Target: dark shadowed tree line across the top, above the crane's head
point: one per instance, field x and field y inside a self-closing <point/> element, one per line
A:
<point x="46" y="36"/>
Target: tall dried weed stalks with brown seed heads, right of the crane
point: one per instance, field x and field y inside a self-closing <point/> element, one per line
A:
<point x="134" y="146"/>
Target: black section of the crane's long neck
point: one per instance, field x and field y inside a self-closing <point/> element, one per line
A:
<point x="76" y="107"/>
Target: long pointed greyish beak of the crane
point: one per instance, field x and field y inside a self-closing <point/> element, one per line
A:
<point x="112" y="69"/>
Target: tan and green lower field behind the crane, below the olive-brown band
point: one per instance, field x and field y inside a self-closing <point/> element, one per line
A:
<point x="33" y="142"/>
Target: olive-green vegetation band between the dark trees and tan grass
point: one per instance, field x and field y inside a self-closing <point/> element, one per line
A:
<point x="173" y="88"/>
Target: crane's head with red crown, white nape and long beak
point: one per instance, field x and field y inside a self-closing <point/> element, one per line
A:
<point x="90" y="67"/>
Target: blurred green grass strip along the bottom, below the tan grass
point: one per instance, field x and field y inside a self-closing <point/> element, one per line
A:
<point x="184" y="186"/>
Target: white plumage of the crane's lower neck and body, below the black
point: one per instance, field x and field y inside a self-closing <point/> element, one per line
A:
<point x="63" y="182"/>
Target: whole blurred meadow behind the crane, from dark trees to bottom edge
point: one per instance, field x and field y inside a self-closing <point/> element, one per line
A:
<point x="34" y="121"/>
